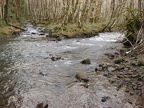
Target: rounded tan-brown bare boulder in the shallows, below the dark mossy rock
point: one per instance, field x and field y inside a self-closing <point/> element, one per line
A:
<point x="81" y="76"/>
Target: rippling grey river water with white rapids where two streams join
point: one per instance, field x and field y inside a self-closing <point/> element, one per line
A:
<point x="28" y="72"/>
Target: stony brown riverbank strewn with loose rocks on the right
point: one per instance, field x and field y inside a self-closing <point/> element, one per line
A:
<point x="127" y="72"/>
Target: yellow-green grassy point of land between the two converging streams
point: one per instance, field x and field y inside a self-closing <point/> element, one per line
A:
<point x="73" y="31"/>
